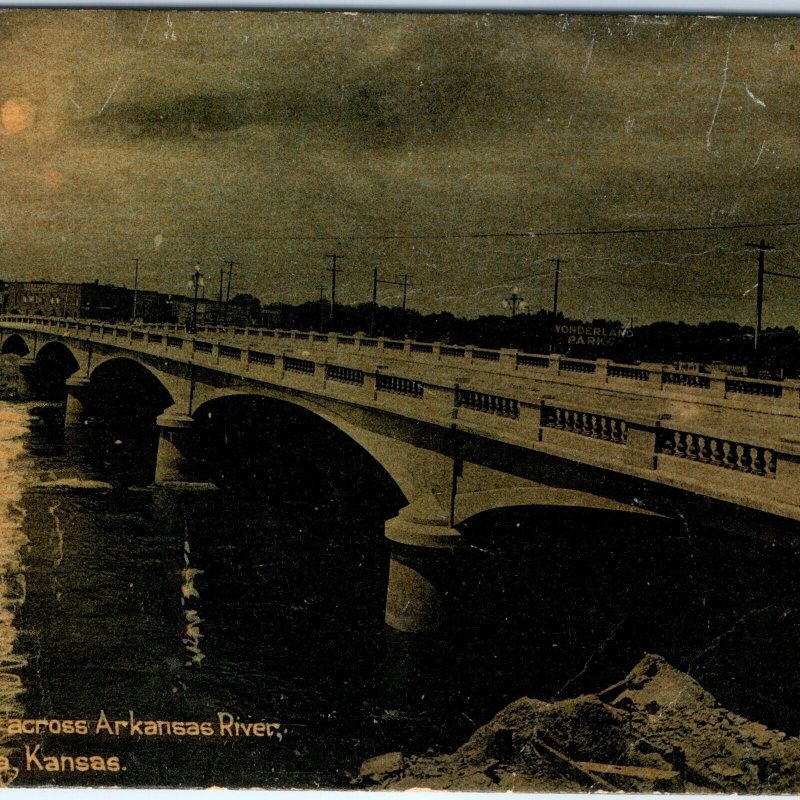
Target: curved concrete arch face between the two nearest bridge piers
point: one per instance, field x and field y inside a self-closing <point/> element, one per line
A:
<point x="386" y="452"/>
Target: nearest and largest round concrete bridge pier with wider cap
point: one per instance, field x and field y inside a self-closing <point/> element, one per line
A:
<point x="421" y="560"/>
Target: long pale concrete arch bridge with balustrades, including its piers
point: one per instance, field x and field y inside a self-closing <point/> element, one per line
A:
<point x="463" y="430"/>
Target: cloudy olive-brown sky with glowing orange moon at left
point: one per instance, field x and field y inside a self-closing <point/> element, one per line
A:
<point x="174" y="137"/>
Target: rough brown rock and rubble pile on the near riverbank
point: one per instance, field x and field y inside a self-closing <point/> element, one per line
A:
<point x="657" y="730"/>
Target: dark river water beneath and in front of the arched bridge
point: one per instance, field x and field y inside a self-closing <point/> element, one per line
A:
<point x="265" y="600"/>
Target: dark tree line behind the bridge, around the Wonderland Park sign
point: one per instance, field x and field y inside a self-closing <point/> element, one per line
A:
<point x="705" y="344"/>
